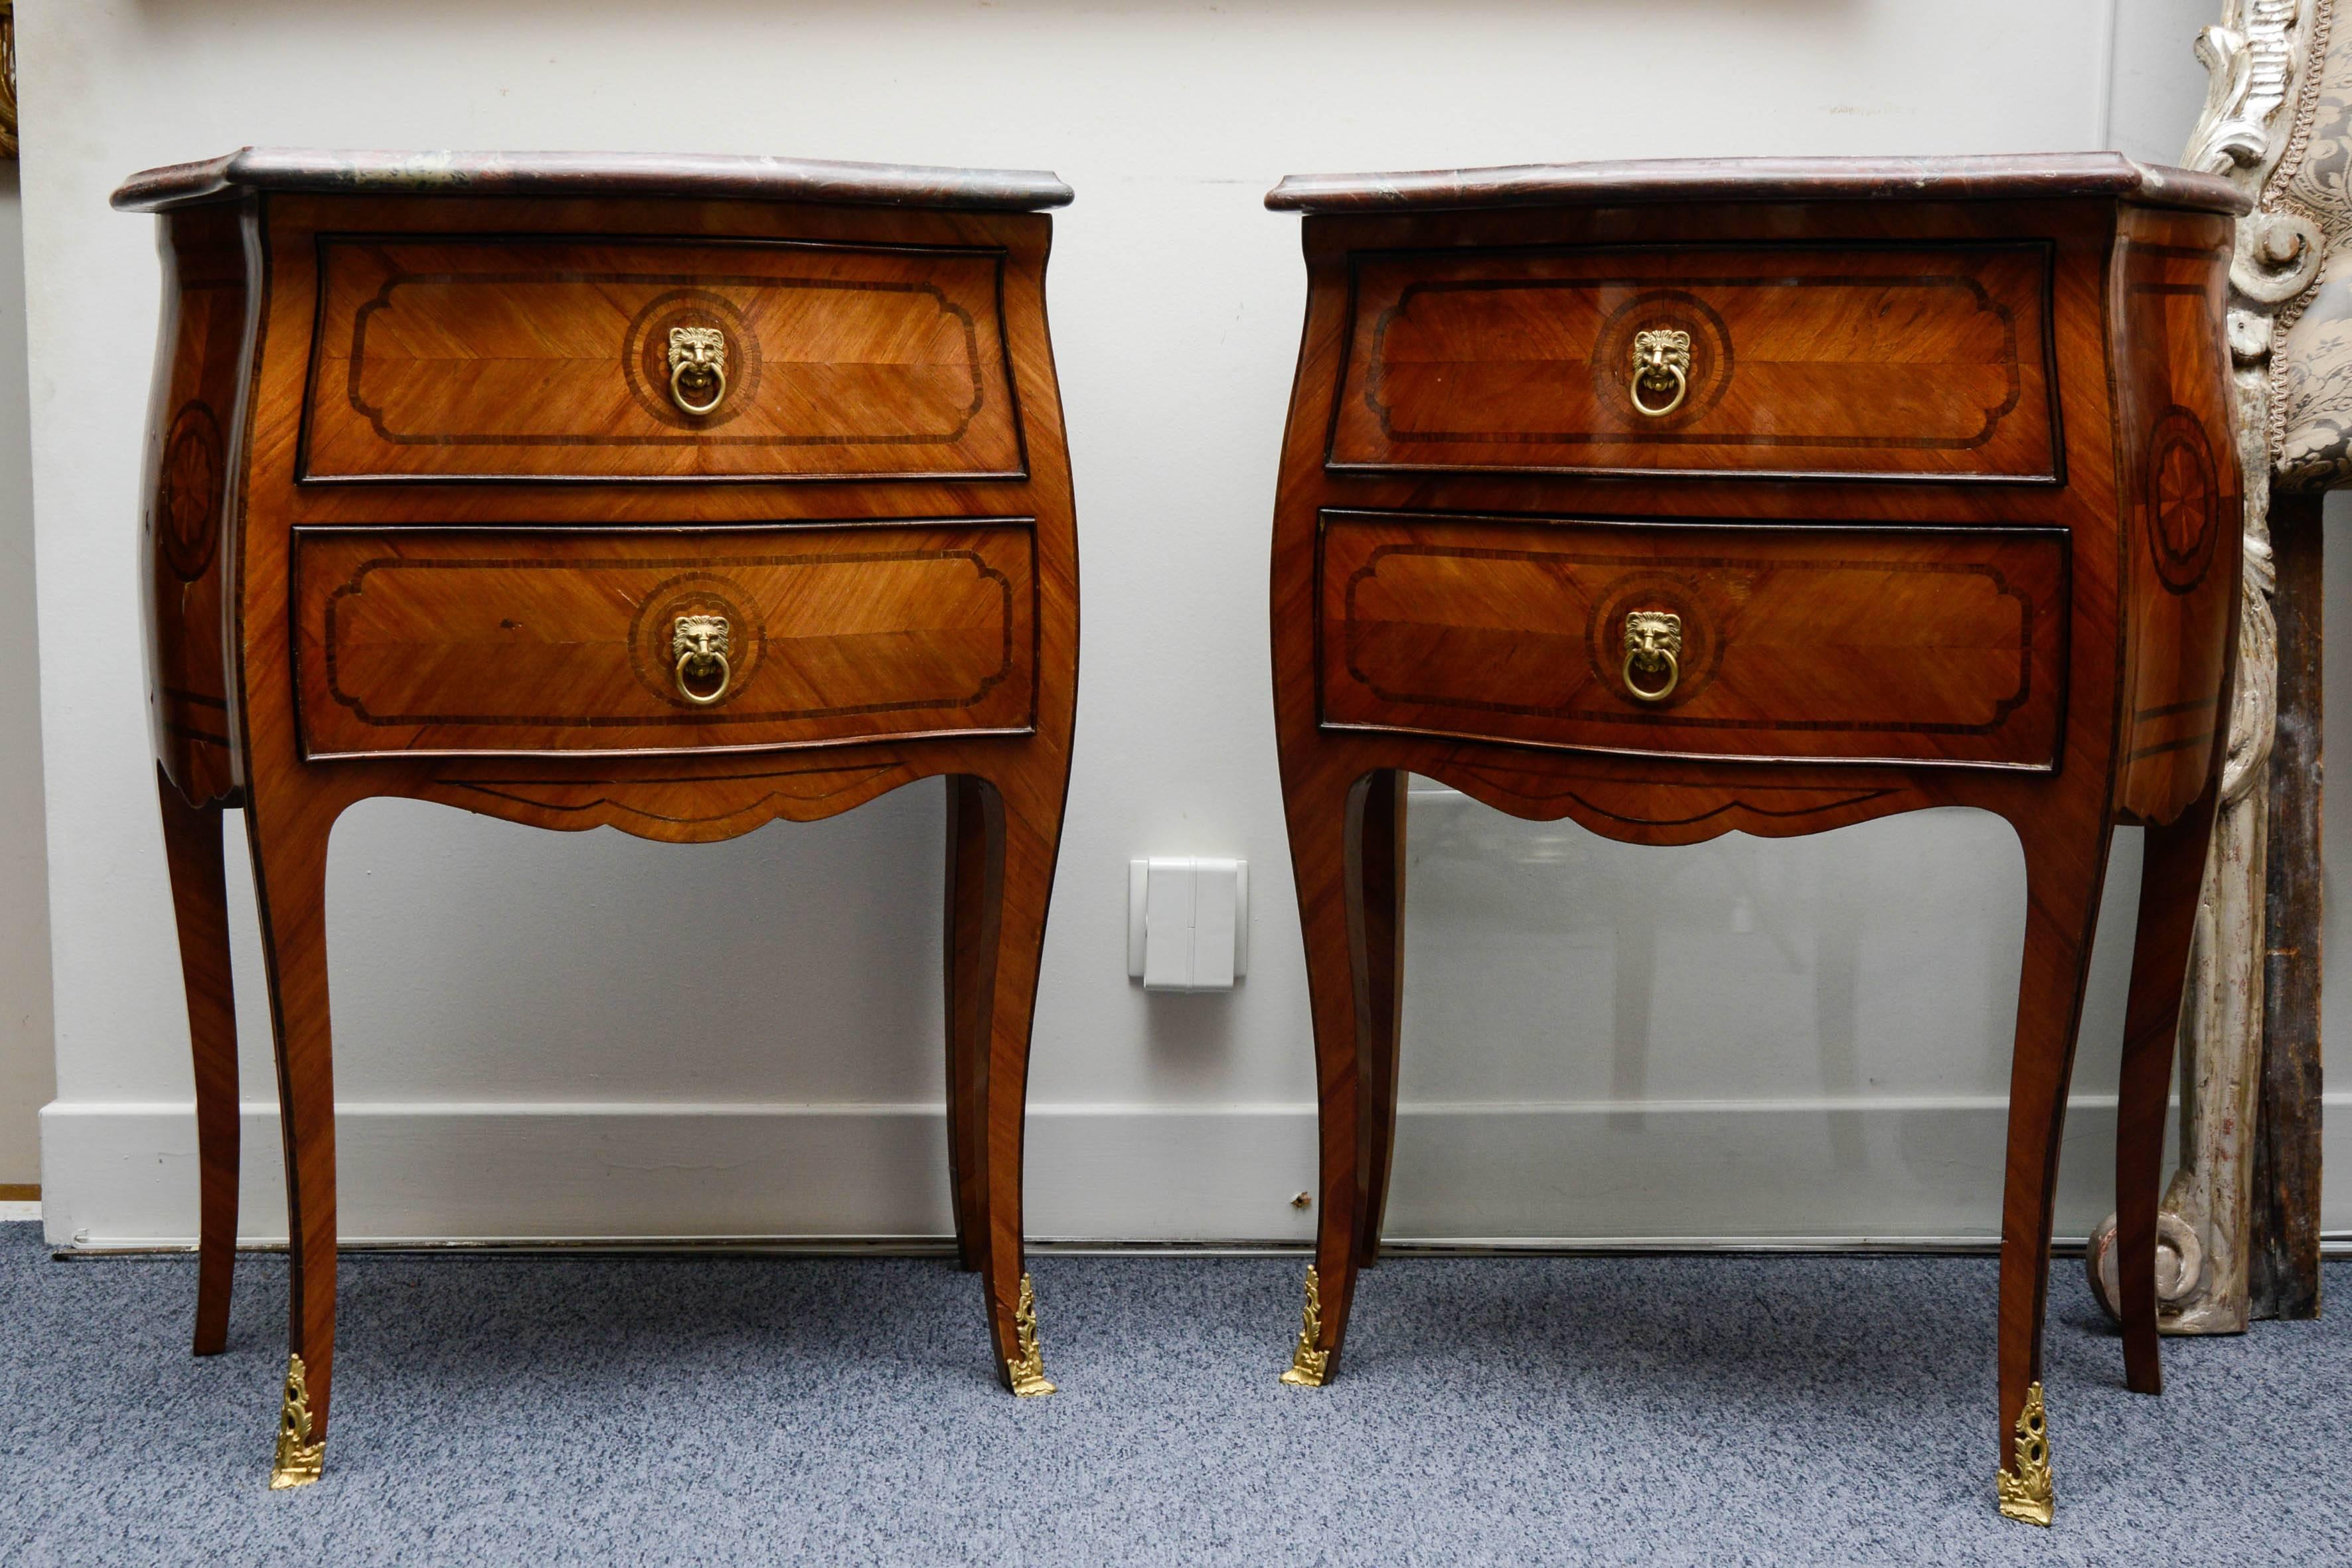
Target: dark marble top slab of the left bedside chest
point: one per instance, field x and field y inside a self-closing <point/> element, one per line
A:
<point x="690" y="175"/>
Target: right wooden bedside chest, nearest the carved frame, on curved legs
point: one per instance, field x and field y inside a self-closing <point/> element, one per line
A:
<point x="1932" y="544"/>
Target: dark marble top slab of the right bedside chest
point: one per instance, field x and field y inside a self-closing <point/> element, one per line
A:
<point x="1763" y="180"/>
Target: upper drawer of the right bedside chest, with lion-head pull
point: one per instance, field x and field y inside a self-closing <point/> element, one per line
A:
<point x="1880" y="361"/>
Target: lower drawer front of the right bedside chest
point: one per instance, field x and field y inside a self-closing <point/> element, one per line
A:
<point x="1798" y="643"/>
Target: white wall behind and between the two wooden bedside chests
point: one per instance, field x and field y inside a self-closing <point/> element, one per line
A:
<point x="554" y="1036"/>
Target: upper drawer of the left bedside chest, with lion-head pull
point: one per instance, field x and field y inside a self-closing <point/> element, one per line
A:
<point x="566" y="359"/>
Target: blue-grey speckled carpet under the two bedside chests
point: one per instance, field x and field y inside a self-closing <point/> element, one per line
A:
<point x="1798" y="1409"/>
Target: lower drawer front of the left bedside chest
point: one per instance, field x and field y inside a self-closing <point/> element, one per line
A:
<point x="561" y="641"/>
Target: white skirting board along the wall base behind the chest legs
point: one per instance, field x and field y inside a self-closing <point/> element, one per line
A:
<point x="1873" y="1172"/>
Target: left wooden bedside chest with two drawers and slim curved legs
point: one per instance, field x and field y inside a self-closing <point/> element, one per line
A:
<point x="417" y="528"/>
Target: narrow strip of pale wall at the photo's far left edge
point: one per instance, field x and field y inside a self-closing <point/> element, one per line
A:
<point x="25" y="904"/>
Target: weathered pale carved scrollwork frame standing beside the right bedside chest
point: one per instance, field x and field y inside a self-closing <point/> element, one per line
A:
<point x="2278" y="123"/>
